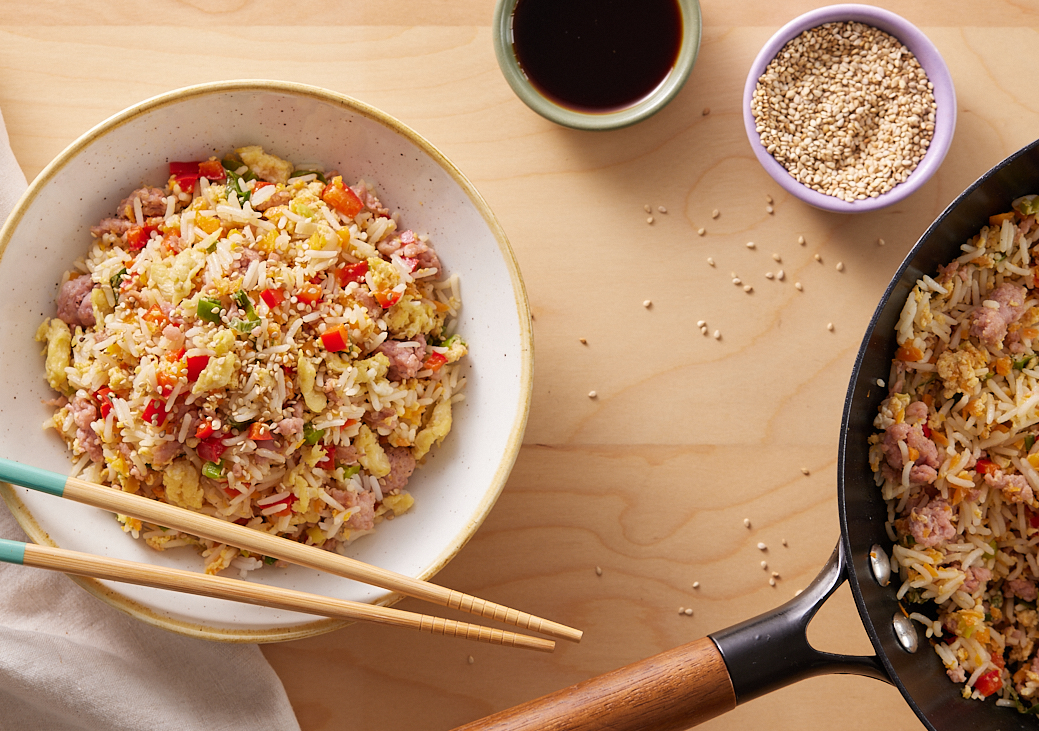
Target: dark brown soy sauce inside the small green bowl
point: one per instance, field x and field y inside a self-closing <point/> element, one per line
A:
<point x="597" y="56"/>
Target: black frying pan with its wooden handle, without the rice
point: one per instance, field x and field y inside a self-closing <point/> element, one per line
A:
<point x="692" y="684"/>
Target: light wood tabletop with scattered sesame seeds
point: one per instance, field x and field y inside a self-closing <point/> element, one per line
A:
<point x="652" y="480"/>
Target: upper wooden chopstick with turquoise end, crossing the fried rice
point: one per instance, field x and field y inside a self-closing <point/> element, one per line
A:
<point x="267" y="545"/>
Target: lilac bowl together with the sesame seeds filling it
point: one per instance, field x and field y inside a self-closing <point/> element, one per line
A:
<point x="850" y="109"/>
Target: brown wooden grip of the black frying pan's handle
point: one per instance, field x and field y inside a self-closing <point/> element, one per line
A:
<point x="670" y="692"/>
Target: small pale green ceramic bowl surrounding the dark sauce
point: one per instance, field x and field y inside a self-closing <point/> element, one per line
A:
<point x="614" y="120"/>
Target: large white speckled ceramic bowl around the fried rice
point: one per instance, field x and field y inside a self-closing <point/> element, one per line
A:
<point x="50" y="228"/>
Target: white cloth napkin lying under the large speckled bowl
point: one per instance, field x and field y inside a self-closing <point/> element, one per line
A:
<point x="71" y="663"/>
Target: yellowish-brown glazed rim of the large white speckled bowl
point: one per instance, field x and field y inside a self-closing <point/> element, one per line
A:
<point x="115" y="599"/>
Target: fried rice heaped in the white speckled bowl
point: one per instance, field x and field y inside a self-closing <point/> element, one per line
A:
<point x="259" y="343"/>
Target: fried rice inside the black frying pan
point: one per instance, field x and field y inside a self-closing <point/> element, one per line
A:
<point x="957" y="462"/>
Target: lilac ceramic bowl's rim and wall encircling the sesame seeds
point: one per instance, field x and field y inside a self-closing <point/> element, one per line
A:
<point x="930" y="60"/>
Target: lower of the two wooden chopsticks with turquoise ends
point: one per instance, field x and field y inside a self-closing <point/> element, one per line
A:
<point x="223" y="588"/>
